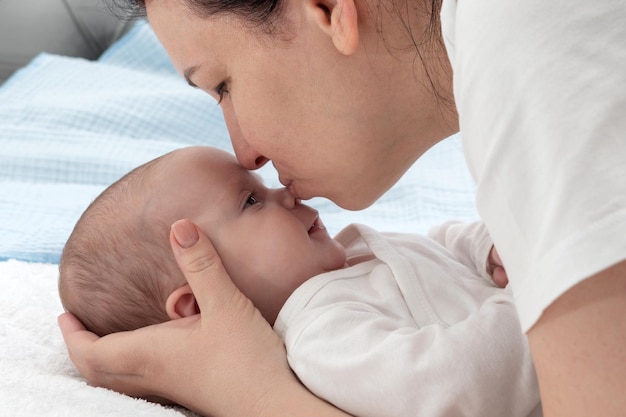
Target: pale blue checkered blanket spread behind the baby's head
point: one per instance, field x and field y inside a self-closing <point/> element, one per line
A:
<point x="69" y="127"/>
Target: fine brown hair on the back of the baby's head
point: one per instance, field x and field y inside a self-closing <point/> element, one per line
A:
<point x="117" y="268"/>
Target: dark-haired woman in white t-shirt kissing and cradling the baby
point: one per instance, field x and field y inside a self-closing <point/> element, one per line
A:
<point x="540" y="93"/>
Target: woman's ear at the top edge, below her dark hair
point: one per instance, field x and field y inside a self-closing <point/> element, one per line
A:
<point x="339" y="20"/>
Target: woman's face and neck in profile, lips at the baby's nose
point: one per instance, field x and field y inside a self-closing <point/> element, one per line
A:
<point x="344" y="126"/>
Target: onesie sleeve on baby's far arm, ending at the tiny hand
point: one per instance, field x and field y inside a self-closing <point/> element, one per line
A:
<point x="470" y="243"/>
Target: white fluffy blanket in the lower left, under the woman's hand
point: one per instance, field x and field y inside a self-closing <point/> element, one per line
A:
<point x="38" y="379"/>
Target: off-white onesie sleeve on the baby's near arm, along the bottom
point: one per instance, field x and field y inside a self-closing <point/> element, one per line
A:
<point x="371" y="364"/>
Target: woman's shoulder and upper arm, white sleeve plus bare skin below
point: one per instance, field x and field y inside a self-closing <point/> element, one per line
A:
<point x="546" y="145"/>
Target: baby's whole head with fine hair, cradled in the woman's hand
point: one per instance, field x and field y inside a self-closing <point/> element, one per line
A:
<point x="117" y="271"/>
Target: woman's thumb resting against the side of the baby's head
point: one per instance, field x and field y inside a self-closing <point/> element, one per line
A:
<point x="201" y="265"/>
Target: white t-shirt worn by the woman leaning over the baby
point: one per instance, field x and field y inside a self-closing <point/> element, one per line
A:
<point x="540" y="88"/>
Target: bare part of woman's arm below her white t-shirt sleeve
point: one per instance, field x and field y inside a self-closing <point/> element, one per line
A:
<point x="579" y="348"/>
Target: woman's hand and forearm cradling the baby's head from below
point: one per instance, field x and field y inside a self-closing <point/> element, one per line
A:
<point x="226" y="361"/>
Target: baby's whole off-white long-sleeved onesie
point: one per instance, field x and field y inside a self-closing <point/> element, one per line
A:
<point x="420" y="330"/>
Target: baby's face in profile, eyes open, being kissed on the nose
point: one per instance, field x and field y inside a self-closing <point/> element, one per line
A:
<point x="268" y="241"/>
